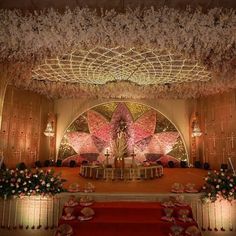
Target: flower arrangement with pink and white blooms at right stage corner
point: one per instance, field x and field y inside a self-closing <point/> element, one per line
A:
<point x="219" y="186"/>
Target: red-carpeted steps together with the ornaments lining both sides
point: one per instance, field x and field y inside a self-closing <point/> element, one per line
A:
<point x="128" y="218"/>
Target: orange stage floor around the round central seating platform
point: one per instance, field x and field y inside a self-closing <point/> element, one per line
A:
<point x="160" y="185"/>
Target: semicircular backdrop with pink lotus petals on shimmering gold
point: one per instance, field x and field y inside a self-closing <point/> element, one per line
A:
<point x="122" y="129"/>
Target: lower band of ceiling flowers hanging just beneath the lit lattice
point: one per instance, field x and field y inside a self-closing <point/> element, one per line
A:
<point x="128" y="90"/>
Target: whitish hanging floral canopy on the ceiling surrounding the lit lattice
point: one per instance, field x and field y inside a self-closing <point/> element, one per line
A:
<point x="28" y="39"/>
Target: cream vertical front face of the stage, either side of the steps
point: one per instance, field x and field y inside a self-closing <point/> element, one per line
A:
<point x="44" y="212"/>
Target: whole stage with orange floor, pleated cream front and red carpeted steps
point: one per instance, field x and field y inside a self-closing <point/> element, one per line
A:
<point x="43" y="214"/>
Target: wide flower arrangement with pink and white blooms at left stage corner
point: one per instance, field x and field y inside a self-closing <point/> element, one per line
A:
<point x="29" y="182"/>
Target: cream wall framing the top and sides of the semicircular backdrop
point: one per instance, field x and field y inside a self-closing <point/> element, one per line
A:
<point x="68" y="110"/>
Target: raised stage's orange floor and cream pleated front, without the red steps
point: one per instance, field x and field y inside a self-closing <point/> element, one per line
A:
<point x="35" y="210"/>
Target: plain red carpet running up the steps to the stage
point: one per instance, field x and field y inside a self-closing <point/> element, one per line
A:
<point x="124" y="218"/>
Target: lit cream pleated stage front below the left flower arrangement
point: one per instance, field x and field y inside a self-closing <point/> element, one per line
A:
<point x="30" y="212"/>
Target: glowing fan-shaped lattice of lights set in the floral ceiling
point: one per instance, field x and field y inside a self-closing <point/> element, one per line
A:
<point x="102" y="65"/>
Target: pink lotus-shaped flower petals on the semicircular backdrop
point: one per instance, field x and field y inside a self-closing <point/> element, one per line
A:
<point x="142" y="134"/>
